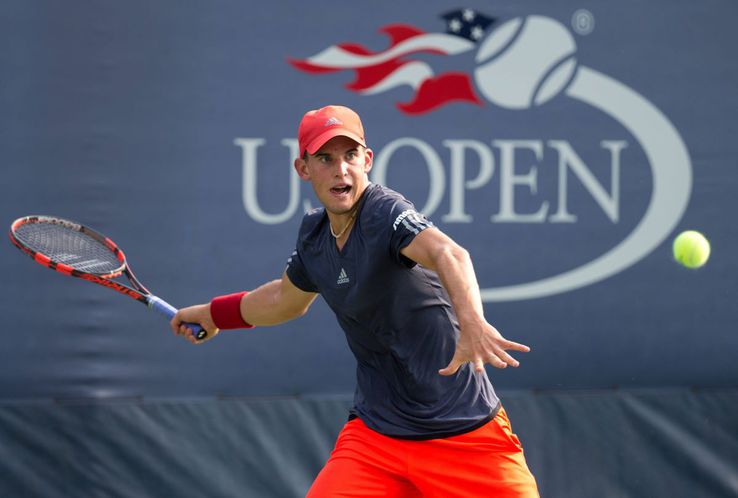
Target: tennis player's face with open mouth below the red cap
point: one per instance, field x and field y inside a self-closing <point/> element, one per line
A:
<point x="337" y="172"/>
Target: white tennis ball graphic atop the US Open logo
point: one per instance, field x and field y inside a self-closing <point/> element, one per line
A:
<point x="525" y="62"/>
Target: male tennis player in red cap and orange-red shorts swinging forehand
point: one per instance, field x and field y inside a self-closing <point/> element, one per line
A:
<point x="426" y="420"/>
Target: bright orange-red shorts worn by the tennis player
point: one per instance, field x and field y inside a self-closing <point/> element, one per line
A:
<point x="487" y="462"/>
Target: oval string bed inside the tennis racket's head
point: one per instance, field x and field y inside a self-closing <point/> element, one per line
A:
<point x="69" y="246"/>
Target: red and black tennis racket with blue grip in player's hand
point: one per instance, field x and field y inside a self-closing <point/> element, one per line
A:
<point x="78" y="251"/>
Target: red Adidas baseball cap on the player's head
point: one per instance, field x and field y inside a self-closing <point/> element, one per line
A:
<point x="320" y="125"/>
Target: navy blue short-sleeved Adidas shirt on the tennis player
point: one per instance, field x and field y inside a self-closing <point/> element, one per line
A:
<point x="398" y="321"/>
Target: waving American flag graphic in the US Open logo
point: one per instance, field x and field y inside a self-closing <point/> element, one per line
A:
<point x="378" y="72"/>
